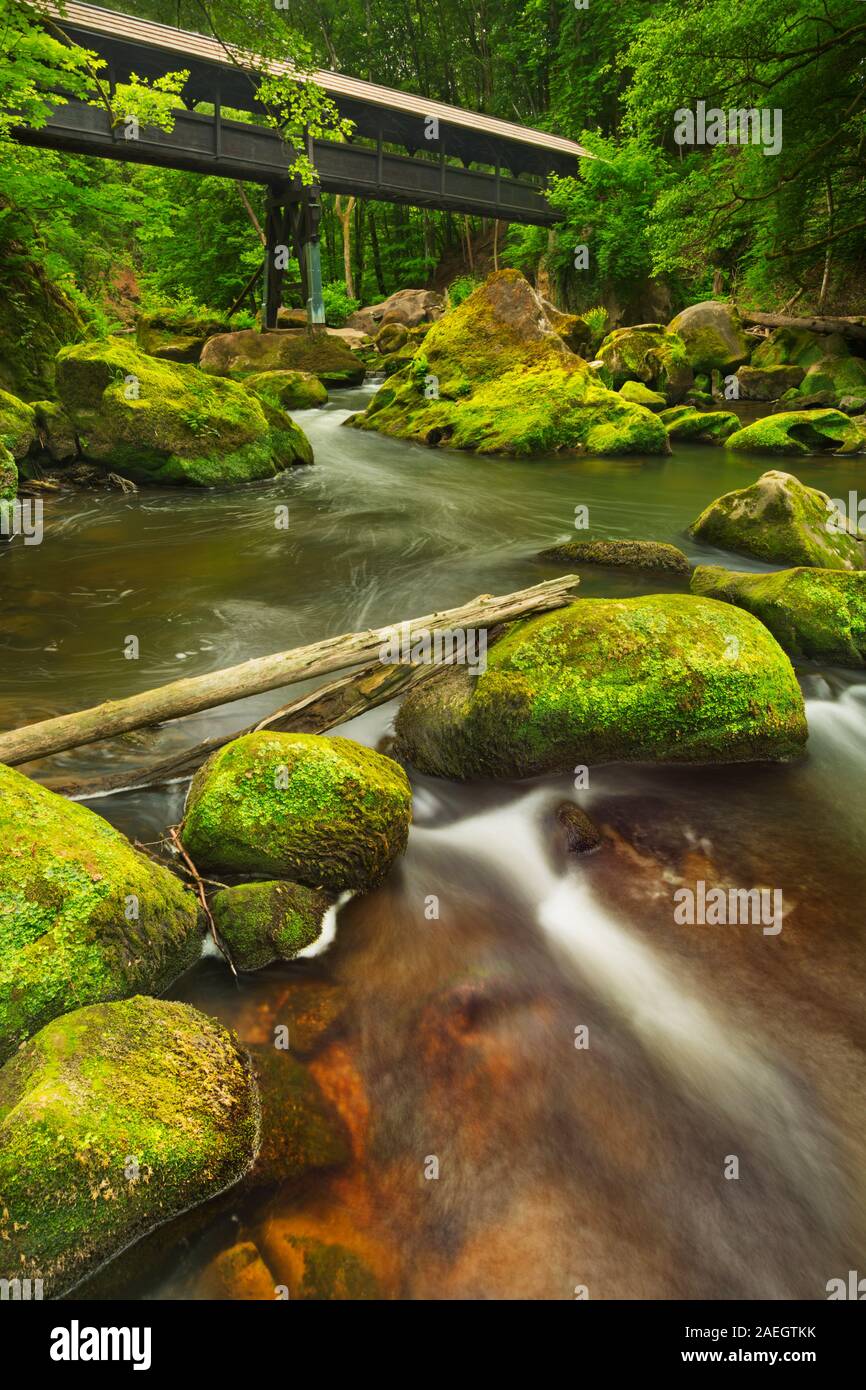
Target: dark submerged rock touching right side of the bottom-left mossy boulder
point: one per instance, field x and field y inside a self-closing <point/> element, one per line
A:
<point x="301" y="1134"/>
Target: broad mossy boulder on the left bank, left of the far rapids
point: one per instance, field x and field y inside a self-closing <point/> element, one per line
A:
<point x="168" y="423"/>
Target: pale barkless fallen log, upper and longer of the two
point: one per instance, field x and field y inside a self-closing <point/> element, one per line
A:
<point x="265" y="673"/>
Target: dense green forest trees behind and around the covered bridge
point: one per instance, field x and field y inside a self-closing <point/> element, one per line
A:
<point x="665" y="226"/>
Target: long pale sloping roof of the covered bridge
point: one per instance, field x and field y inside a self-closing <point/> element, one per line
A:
<point x="400" y="116"/>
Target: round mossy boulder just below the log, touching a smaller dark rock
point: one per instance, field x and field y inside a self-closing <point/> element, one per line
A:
<point x="320" y="811"/>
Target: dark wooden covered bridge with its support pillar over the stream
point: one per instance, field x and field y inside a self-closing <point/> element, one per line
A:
<point x="455" y="161"/>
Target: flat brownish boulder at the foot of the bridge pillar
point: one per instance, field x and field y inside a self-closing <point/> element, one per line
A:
<point x="250" y="351"/>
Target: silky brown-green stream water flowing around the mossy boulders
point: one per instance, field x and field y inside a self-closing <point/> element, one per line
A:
<point x="582" y="1071"/>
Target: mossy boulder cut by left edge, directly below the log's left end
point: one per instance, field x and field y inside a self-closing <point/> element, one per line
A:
<point x="84" y="917"/>
